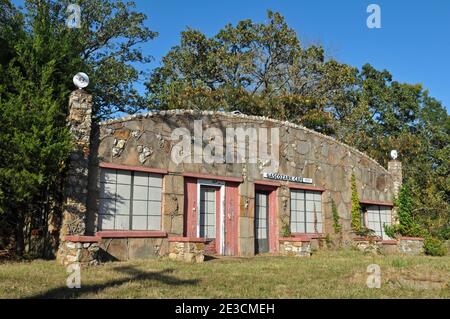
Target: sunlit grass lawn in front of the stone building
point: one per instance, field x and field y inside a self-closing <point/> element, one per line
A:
<point x="327" y="274"/>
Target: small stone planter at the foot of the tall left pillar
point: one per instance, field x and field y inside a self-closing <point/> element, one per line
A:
<point x="79" y="249"/>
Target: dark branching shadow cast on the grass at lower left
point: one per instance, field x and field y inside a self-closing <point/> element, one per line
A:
<point x="134" y="275"/>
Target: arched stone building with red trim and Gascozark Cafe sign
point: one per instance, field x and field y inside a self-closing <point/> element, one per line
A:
<point x="230" y="184"/>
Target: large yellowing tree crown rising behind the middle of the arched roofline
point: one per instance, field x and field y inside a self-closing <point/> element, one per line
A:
<point x="256" y="68"/>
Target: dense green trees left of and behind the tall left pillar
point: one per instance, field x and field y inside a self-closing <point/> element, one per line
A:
<point x="39" y="56"/>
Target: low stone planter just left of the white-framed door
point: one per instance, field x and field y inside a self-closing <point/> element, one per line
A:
<point x="187" y="249"/>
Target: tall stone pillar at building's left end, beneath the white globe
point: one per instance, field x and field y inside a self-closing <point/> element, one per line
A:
<point x="76" y="189"/>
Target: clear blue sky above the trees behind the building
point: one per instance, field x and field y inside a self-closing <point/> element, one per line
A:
<point x="413" y="42"/>
